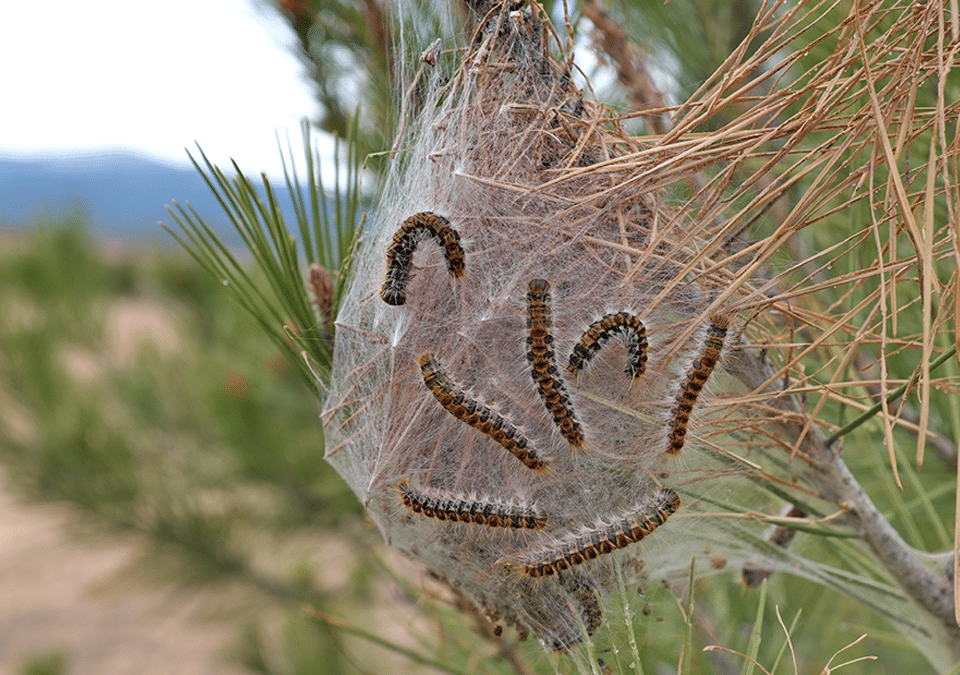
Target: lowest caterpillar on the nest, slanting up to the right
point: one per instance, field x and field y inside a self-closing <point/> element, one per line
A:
<point x="576" y="550"/>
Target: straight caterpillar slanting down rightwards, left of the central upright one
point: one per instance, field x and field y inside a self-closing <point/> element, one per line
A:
<point x="477" y="415"/>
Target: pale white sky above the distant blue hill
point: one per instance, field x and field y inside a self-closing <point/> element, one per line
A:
<point x="151" y="78"/>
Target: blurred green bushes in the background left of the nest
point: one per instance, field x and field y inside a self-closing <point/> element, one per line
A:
<point x="132" y="387"/>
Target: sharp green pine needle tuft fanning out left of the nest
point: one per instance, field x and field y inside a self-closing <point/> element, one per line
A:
<point x="276" y="294"/>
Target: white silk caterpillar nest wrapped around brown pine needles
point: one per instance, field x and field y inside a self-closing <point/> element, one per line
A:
<point x="523" y="346"/>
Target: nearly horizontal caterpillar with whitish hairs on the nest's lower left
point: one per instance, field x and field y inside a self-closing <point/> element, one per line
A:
<point x="443" y="505"/>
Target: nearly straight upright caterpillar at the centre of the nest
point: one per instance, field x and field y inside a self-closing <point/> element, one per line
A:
<point x="540" y="355"/>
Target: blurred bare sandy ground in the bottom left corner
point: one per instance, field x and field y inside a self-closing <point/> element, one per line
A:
<point x="71" y="595"/>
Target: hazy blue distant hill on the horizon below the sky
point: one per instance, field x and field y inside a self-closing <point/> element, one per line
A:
<point x="123" y="195"/>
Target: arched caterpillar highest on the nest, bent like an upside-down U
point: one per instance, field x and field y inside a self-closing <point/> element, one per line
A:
<point x="411" y="232"/>
